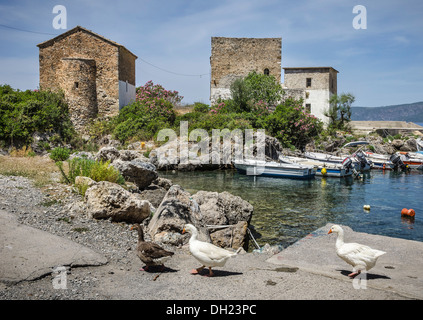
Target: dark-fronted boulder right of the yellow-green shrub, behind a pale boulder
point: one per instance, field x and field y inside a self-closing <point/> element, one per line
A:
<point x="137" y="171"/>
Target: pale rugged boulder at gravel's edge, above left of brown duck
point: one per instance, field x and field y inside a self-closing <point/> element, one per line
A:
<point x="109" y="200"/>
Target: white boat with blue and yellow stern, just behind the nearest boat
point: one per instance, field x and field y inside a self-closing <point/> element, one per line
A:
<point x="324" y="169"/>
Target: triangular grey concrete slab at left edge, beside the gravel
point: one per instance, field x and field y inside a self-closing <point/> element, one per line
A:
<point x="28" y="253"/>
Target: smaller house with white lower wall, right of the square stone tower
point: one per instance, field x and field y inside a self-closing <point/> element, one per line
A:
<point x="315" y="85"/>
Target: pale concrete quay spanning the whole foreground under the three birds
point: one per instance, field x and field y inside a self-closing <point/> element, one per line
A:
<point x="309" y="269"/>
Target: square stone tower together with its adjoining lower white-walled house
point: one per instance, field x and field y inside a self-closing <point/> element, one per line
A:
<point x="232" y="58"/>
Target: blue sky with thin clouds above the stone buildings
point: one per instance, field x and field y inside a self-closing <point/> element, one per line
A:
<point x="380" y="65"/>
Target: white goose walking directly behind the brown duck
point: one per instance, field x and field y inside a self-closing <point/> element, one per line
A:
<point x="208" y="254"/>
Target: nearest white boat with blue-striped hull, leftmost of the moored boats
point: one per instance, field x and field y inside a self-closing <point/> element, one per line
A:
<point x="275" y="169"/>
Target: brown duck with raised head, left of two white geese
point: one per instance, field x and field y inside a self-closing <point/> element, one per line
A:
<point x="150" y="253"/>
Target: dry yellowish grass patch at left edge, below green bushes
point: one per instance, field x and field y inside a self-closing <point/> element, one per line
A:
<point x="40" y="169"/>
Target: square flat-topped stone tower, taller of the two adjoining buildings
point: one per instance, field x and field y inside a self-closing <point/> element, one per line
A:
<point x="232" y="58"/>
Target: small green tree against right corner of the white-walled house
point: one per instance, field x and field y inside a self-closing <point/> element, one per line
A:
<point x="339" y="112"/>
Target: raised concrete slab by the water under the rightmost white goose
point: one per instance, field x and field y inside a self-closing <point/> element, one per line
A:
<point x="400" y="270"/>
